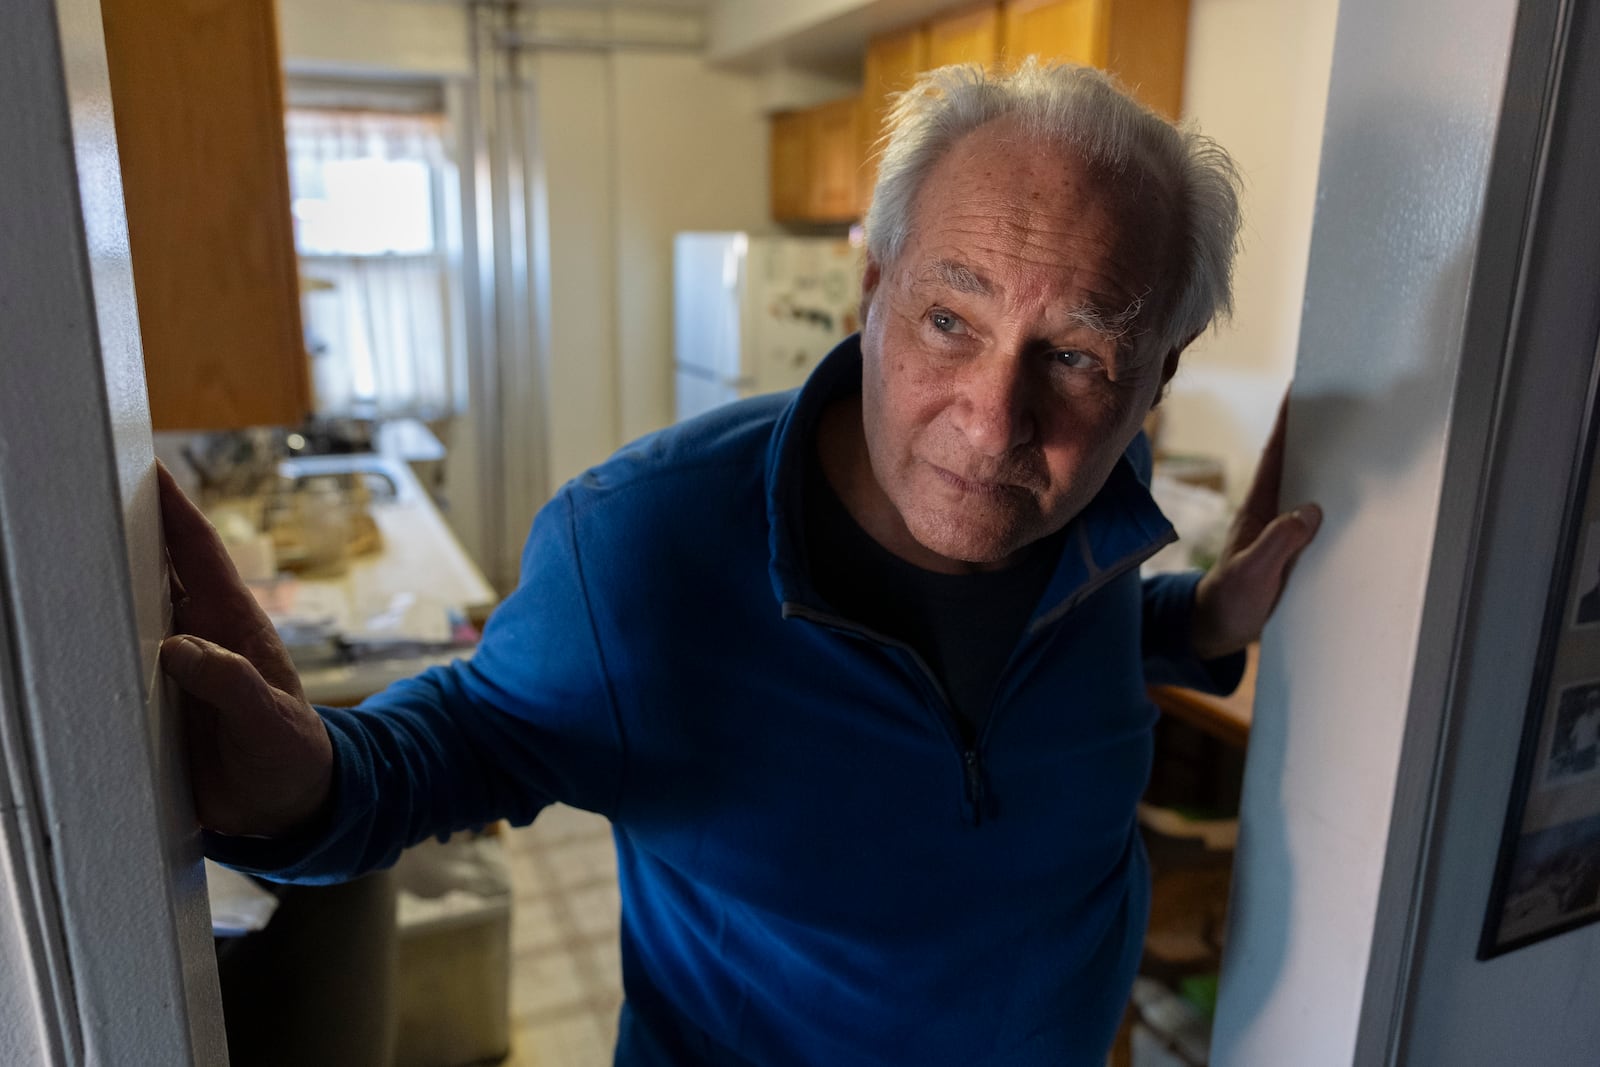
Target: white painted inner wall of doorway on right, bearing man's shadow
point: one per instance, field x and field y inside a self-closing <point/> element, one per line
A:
<point x="1412" y="122"/>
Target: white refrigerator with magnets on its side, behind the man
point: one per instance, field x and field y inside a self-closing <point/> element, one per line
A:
<point x="756" y="314"/>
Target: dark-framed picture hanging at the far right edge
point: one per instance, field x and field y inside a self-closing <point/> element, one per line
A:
<point x="1548" y="874"/>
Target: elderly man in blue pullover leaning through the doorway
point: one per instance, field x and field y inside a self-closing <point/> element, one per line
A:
<point x="858" y="673"/>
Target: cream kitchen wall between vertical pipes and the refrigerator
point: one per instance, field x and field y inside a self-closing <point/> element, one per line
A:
<point x="634" y="148"/>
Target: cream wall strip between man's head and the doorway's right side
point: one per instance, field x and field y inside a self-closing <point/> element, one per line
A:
<point x="1255" y="81"/>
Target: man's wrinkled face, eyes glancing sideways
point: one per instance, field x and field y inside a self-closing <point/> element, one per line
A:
<point x="998" y="390"/>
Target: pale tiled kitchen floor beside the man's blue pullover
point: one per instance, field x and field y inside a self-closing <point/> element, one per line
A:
<point x="567" y="978"/>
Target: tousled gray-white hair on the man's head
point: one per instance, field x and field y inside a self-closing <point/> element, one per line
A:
<point x="1082" y="110"/>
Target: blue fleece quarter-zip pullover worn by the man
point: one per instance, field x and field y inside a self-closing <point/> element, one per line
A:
<point x="814" y="868"/>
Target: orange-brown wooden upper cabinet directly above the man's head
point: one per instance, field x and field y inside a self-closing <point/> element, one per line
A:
<point x="1142" y="42"/>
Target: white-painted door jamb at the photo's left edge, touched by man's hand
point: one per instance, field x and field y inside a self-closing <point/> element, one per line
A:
<point x="105" y="932"/>
